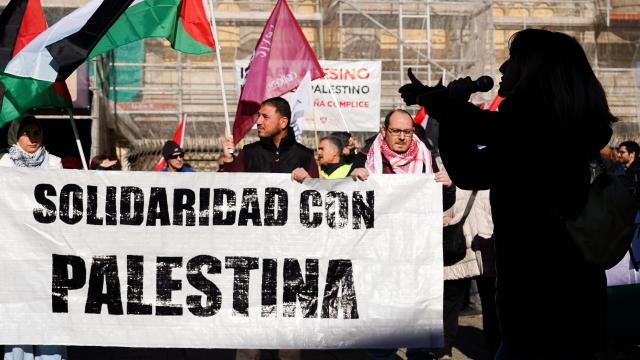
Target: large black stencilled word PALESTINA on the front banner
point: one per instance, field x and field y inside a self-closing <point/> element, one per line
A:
<point x="69" y="273"/>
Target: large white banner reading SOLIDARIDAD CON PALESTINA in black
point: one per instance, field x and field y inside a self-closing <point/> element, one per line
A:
<point x="219" y="260"/>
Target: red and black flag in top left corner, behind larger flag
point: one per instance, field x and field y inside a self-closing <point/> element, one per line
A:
<point x="20" y="22"/>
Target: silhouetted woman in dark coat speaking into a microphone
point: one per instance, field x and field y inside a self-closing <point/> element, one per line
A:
<point x="551" y="303"/>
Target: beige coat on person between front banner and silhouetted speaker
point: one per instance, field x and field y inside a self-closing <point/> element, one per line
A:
<point x="478" y="222"/>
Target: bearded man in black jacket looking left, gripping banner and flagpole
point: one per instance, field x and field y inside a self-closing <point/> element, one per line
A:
<point x="277" y="151"/>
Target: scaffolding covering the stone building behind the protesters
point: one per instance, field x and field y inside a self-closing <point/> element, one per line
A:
<point x="438" y="39"/>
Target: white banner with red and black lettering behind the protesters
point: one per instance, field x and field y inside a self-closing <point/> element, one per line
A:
<point x="357" y="87"/>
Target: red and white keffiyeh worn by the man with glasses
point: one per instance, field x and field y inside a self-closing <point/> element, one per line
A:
<point x="416" y="160"/>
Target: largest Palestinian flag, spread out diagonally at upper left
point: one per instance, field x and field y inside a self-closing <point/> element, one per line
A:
<point x="92" y="29"/>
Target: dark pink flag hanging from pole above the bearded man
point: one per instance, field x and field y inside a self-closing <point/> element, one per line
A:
<point x="278" y="65"/>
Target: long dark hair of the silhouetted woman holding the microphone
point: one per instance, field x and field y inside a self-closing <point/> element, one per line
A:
<point x="556" y="76"/>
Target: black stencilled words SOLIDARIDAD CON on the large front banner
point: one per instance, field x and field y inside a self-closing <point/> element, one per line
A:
<point x="219" y="206"/>
